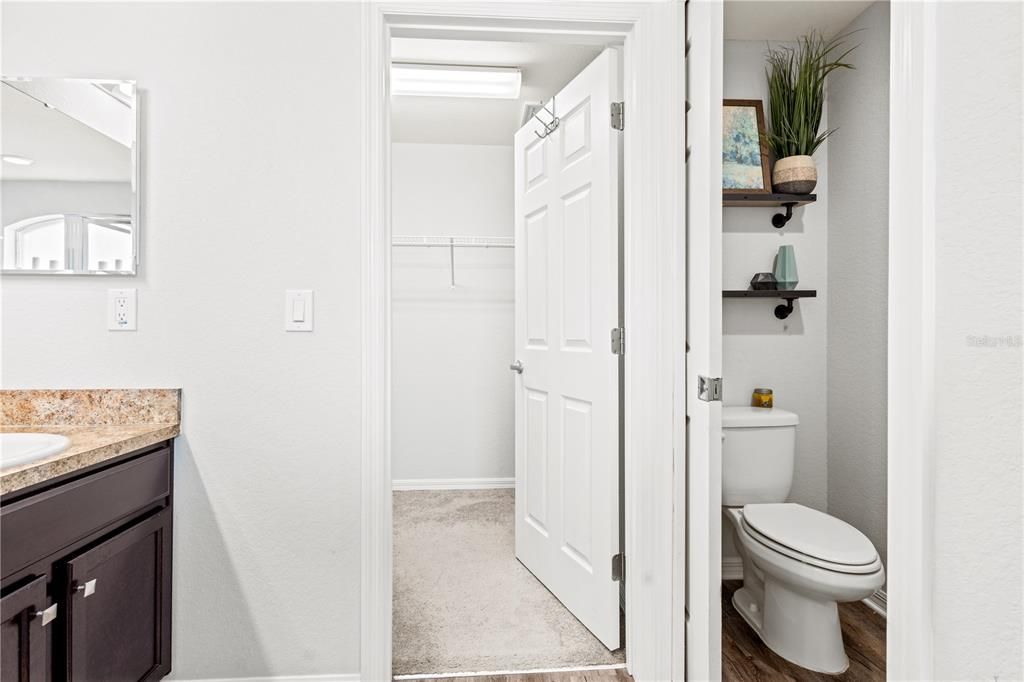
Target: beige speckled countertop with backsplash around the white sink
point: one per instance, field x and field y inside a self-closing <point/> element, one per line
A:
<point x="101" y="423"/>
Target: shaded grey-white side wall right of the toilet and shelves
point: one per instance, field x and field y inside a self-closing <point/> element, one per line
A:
<point x="859" y="269"/>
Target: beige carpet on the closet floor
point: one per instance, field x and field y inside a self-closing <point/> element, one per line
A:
<point x="464" y="604"/>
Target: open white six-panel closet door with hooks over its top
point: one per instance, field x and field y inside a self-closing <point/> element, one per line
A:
<point x="568" y="208"/>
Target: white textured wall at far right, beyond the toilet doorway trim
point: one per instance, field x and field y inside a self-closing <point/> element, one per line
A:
<point x="978" y="487"/>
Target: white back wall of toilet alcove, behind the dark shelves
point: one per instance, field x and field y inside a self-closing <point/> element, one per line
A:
<point x="759" y="350"/>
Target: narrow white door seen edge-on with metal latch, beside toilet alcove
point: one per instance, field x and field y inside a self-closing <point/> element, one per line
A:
<point x="704" y="323"/>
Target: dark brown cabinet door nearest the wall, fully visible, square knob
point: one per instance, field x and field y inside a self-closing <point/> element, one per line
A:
<point x="119" y="606"/>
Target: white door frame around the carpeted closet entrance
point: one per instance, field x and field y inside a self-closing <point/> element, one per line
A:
<point x="655" y="297"/>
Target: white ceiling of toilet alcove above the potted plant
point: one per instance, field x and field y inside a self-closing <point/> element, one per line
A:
<point x="788" y="20"/>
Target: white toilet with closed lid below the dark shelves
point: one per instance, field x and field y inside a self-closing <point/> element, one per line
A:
<point x="798" y="563"/>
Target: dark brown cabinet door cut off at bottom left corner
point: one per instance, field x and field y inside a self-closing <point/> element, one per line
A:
<point x="25" y="617"/>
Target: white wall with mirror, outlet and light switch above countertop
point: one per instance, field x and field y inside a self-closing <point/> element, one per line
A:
<point x="251" y="186"/>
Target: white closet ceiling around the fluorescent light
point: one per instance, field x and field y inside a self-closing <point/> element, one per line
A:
<point x="546" y="68"/>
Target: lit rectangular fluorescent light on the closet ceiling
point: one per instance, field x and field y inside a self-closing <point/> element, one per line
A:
<point x="444" y="81"/>
